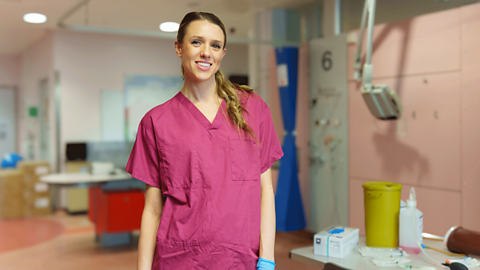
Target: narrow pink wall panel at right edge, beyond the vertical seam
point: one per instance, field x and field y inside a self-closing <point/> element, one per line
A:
<point x="470" y="115"/>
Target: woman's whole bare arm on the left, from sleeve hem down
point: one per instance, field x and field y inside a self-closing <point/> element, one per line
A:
<point x="148" y="230"/>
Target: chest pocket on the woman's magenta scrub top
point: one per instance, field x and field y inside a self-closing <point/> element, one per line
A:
<point x="245" y="159"/>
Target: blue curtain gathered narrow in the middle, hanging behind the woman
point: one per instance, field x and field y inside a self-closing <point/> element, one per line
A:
<point x="288" y="202"/>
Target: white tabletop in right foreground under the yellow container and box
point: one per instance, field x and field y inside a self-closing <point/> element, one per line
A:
<point x="355" y="261"/>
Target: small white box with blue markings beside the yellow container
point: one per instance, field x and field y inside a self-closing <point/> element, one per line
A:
<point x="336" y="242"/>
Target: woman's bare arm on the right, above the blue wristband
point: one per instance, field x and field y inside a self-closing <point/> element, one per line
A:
<point x="267" y="225"/>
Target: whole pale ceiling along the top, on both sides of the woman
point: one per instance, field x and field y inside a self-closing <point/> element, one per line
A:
<point x="146" y="15"/>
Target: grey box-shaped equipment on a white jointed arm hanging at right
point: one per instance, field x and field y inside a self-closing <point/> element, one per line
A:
<point x="382" y="102"/>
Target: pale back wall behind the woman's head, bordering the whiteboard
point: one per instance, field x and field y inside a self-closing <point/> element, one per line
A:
<point x="90" y="62"/>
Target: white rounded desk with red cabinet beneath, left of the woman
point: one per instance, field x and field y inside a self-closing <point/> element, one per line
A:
<point x="115" y="203"/>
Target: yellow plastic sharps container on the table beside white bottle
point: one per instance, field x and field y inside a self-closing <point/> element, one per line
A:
<point x="382" y="209"/>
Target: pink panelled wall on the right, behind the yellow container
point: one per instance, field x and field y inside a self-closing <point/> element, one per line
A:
<point x="432" y="61"/>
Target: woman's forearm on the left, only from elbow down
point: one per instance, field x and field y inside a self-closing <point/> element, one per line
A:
<point x="147" y="240"/>
